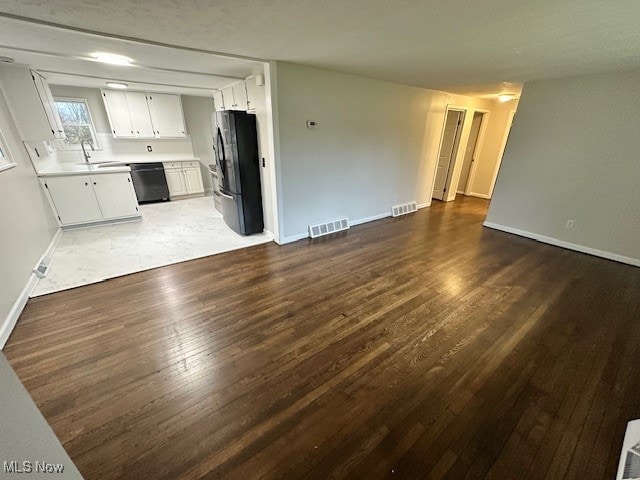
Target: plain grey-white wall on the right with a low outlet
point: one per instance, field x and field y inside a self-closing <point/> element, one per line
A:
<point x="574" y="154"/>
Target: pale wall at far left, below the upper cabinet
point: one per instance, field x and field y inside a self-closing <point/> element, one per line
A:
<point x="27" y="225"/>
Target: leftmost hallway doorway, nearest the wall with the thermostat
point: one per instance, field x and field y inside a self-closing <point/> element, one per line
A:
<point x="448" y="151"/>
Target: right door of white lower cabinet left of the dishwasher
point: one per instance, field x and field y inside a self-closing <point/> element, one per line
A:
<point x="115" y="194"/>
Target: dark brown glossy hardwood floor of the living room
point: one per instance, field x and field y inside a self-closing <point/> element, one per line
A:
<point x="419" y="347"/>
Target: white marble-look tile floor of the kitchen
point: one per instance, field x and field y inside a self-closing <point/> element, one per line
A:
<point x="168" y="233"/>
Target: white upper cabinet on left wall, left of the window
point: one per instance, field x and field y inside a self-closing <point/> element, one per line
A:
<point x="31" y="103"/>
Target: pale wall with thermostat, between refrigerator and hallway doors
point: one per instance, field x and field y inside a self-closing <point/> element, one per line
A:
<point x="376" y="144"/>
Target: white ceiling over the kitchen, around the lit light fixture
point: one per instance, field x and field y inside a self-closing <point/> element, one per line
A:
<point x="64" y="57"/>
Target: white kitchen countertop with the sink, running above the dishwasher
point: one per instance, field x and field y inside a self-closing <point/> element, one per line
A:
<point x="112" y="164"/>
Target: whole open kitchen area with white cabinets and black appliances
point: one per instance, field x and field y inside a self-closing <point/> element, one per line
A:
<point x="140" y="170"/>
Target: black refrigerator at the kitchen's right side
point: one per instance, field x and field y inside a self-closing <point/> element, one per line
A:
<point x="236" y="145"/>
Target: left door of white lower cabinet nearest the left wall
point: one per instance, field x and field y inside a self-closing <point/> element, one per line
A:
<point x="74" y="199"/>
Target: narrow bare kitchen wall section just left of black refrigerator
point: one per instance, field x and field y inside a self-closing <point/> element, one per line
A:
<point x="197" y="116"/>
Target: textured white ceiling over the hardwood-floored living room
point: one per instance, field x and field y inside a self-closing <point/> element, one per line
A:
<point x="470" y="46"/>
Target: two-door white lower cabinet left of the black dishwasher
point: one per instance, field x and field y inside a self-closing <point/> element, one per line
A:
<point x="79" y="199"/>
